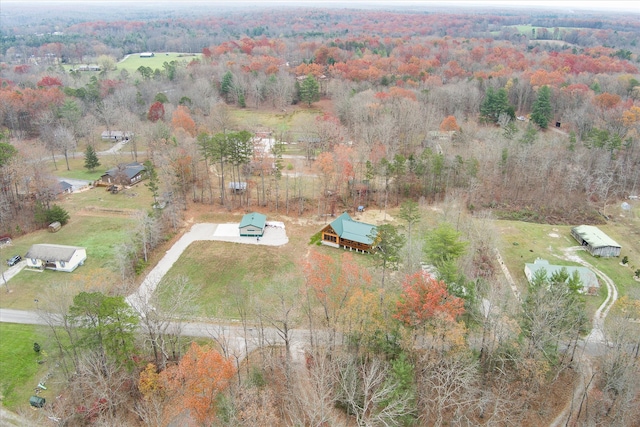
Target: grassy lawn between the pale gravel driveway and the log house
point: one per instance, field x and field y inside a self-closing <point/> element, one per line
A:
<point x="222" y="270"/>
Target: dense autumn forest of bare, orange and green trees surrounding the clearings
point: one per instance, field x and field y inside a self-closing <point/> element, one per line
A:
<point x="528" y="115"/>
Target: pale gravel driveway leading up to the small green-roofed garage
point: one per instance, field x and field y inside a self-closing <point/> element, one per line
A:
<point x="274" y="235"/>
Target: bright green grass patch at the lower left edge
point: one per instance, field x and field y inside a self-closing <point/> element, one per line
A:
<point x="19" y="370"/>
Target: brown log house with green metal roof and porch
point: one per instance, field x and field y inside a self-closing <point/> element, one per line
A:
<point x="346" y="233"/>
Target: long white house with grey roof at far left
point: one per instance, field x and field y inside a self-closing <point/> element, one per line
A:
<point x="55" y="257"/>
